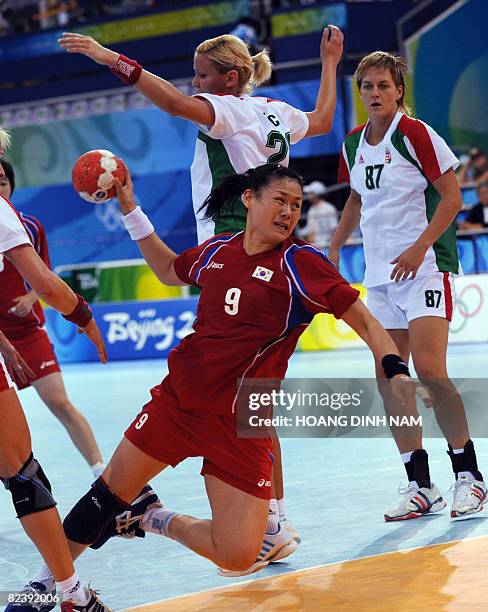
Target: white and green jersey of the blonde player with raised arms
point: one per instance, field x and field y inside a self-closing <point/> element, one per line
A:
<point x="248" y="131"/>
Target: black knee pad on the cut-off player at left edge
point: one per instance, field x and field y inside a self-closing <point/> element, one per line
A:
<point x="30" y="489"/>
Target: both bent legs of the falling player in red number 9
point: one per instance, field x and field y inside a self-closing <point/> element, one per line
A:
<point x="218" y="539"/>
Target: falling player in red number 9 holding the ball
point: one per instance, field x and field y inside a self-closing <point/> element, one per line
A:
<point x="260" y="289"/>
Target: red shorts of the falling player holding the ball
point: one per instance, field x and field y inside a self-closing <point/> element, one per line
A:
<point x="169" y="433"/>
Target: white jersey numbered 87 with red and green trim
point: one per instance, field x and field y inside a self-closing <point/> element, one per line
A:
<point x="395" y="181"/>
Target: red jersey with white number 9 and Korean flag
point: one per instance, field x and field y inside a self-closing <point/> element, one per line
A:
<point x="251" y="312"/>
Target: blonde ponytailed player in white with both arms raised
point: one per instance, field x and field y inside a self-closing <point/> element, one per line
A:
<point x="237" y="131"/>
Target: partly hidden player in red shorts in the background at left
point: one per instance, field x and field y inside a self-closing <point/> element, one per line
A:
<point x="22" y="321"/>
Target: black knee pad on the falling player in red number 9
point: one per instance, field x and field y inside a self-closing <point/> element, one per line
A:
<point x="93" y="511"/>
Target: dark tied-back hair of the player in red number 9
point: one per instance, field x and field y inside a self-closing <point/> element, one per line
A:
<point x="222" y="198"/>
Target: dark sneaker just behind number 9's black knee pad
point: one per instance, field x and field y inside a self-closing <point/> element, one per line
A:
<point x="126" y="525"/>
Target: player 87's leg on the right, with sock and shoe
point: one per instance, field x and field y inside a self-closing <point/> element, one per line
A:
<point x="428" y="340"/>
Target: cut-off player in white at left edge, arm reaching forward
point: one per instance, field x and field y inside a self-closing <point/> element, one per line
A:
<point x="20" y="472"/>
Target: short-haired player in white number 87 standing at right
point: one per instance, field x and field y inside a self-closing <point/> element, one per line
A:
<point x="406" y="196"/>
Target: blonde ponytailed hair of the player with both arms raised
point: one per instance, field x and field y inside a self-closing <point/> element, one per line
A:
<point x="229" y="52"/>
